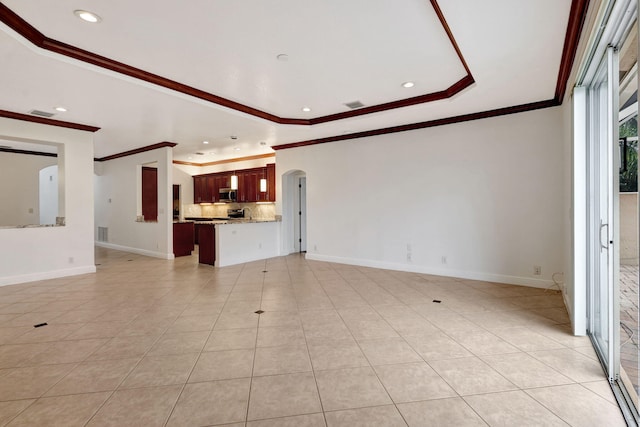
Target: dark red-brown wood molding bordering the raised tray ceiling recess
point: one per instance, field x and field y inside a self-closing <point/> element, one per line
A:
<point x="36" y="37"/>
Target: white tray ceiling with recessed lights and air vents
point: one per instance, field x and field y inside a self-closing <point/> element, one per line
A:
<point x="337" y="51"/>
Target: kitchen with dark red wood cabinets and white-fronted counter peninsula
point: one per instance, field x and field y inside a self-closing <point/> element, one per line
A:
<point x="232" y="219"/>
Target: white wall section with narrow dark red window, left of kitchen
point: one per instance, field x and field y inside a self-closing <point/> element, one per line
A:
<point x="117" y="196"/>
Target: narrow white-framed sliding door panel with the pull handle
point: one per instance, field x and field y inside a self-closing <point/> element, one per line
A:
<point x="602" y="247"/>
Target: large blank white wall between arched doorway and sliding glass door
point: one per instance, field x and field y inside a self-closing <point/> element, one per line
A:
<point x="486" y="194"/>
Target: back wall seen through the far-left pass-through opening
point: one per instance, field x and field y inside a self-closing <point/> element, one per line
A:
<point x="19" y="187"/>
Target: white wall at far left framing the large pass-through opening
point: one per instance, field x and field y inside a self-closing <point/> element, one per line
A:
<point x="28" y="254"/>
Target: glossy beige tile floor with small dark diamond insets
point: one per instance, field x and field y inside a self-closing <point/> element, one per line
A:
<point x="150" y="342"/>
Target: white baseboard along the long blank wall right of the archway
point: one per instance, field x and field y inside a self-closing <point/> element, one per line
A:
<point x="461" y="274"/>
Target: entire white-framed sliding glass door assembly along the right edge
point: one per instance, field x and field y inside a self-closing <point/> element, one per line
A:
<point x="606" y="107"/>
